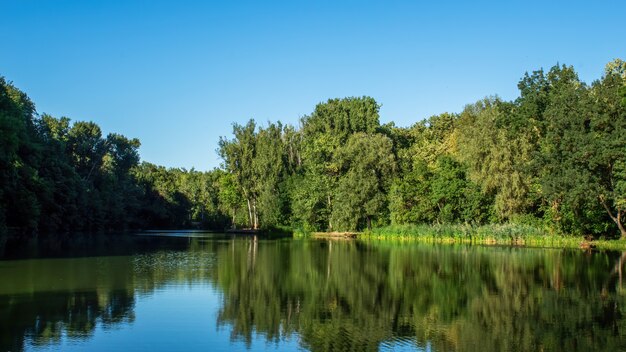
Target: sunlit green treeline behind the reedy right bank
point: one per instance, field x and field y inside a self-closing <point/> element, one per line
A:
<point x="554" y="157"/>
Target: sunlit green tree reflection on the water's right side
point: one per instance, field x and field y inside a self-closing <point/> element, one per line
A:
<point x="354" y="296"/>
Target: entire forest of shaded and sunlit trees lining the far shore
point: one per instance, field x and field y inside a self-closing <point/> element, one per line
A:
<point x="555" y="157"/>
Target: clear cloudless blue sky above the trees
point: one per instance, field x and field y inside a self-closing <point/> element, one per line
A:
<point x="176" y="74"/>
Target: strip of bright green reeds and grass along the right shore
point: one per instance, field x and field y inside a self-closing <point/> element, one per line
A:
<point x="501" y="234"/>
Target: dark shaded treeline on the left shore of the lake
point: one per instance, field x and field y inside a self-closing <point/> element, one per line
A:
<point x="59" y="176"/>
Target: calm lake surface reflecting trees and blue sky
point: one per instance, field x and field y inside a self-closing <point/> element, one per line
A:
<point x="157" y="293"/>
